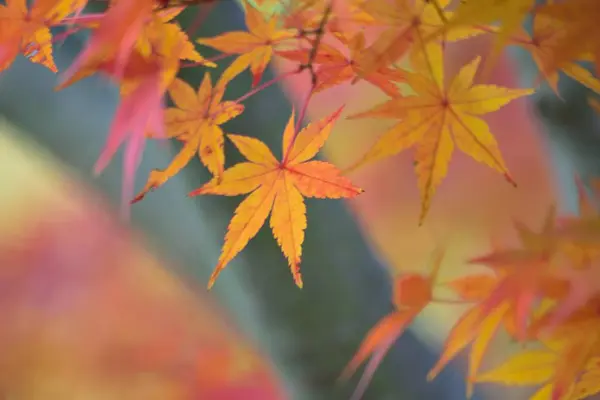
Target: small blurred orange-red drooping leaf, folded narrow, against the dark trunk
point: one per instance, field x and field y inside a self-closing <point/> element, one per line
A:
<point x="412" y="293"/>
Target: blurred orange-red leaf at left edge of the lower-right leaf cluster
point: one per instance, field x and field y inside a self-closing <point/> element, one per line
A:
<point x="498" y="301"/>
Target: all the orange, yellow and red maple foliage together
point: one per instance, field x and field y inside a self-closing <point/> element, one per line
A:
<point x="542" y="291"/>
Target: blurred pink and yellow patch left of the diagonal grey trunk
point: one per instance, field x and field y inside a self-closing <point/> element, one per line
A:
<point x="88" y="313"/>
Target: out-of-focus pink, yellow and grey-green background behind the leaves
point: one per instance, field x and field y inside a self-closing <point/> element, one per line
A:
<point x="94" y="308"/>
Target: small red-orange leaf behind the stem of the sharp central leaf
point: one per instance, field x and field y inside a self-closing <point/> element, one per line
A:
<point x="335" y="68"/>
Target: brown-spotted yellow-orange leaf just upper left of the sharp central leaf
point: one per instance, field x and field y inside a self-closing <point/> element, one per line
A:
<point x="196" y="122"/>
